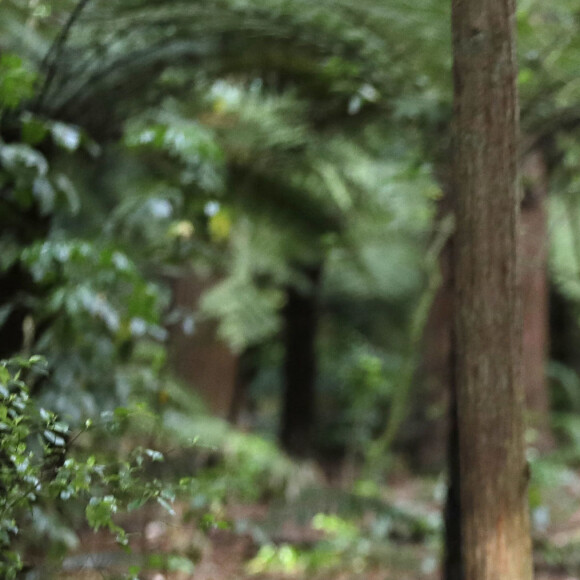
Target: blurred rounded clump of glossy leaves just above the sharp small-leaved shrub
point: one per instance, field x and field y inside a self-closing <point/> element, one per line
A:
<point x="97" y="309"/>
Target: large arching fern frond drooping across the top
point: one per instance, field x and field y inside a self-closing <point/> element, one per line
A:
<point x="343" y="54"/>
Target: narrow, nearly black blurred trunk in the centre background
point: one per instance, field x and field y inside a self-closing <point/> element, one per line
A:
<point x="298" y="405"/>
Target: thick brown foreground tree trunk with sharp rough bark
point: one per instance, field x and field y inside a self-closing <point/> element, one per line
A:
<point x="490" y="397"/>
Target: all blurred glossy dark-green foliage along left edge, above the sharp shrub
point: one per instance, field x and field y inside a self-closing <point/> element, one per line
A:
<point x="89" y="309"/>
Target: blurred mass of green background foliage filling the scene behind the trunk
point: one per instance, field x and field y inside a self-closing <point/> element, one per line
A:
<point x="276" y="151"/>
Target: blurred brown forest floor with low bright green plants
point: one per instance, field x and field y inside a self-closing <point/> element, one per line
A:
<point x="289" y="538"/>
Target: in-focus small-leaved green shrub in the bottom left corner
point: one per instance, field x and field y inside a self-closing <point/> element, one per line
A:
<point x="38" y="468"/>
